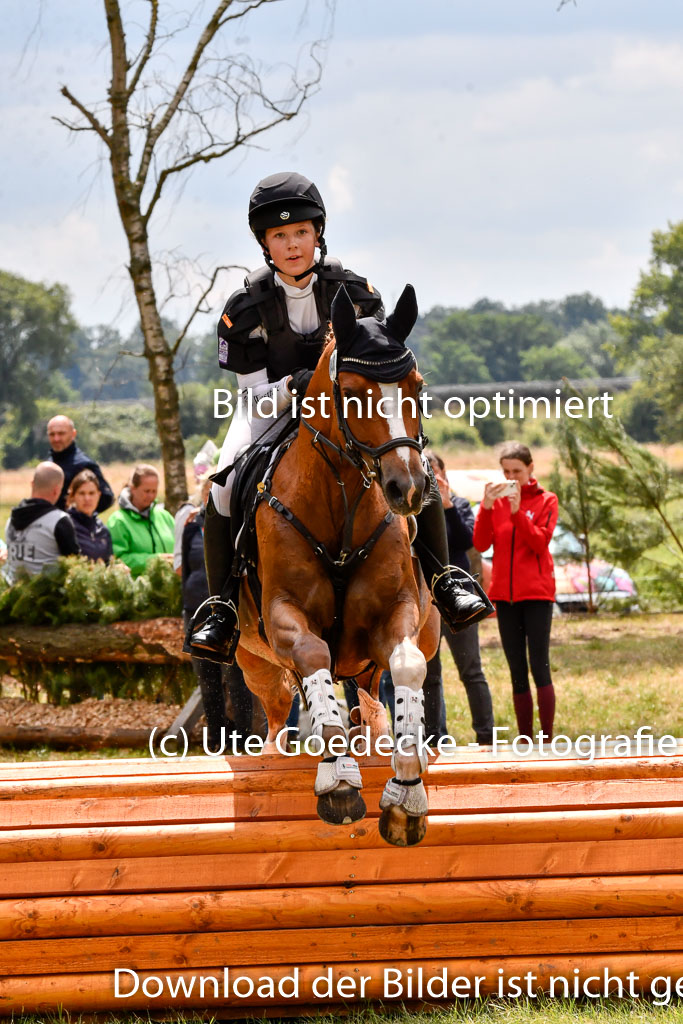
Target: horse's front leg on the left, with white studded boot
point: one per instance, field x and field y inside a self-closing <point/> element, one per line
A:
<point x="296" y="647"/>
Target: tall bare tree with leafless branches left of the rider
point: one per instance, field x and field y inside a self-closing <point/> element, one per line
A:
<point x="155" y="130"/>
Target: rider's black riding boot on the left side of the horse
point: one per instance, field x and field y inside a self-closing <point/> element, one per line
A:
<point x="217" y="636"/>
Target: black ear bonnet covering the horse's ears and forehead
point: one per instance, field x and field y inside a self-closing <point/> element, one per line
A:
<point x="368" y="348"/>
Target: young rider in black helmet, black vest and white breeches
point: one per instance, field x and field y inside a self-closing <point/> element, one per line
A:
<point x="272" y="334"/>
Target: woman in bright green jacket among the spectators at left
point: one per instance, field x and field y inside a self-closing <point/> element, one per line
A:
<point x="141" y="529"/>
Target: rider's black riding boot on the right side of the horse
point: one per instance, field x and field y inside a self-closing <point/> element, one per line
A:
<point x="459" y="608"/>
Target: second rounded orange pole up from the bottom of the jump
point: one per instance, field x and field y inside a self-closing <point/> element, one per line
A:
<point x="328" y="907"/>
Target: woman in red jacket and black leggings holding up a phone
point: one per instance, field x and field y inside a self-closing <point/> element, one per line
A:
<point x="523" y="586"/>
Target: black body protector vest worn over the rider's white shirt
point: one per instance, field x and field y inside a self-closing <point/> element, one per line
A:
<point x="279" y="350"/>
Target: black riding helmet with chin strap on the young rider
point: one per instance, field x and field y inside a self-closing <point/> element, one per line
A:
<point x="282" y="199"/>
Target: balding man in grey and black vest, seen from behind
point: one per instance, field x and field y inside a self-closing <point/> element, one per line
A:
<point x="38" y="533"/>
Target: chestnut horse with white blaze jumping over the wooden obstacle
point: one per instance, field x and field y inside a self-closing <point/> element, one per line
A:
<point x="334" y="559"/>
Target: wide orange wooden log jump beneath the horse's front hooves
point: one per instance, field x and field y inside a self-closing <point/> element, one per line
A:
<point x="209" y="883"/>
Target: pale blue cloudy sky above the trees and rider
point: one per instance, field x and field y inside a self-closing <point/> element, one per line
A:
<point x="502" y="149"/>
